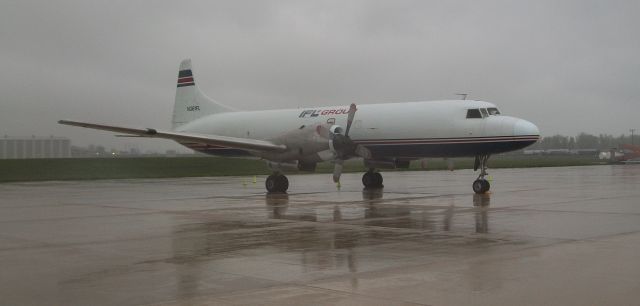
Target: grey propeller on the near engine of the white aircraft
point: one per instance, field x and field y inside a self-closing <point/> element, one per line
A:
<point x="345" y="147"/>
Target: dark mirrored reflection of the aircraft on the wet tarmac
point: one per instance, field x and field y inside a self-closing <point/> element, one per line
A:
<point x="323" y="236"/>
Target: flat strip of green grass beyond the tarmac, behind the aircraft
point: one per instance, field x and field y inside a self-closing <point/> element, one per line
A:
<point x="12" y="170"/>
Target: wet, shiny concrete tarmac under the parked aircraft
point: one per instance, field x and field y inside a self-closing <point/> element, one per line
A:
<point x="553" y="236"/>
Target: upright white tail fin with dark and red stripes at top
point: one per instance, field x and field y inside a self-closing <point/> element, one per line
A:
<point x="191" y="103"/>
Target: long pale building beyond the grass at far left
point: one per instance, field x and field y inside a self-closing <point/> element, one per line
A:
<point x="34" y="147"/>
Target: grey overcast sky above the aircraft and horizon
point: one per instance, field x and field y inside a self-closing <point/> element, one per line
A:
<point x="568" y="66"/>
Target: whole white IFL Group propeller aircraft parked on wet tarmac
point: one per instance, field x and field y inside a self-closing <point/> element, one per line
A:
<point x="384" y="135"/>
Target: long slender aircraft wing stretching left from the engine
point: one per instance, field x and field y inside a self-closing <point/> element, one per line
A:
<point x="232" y="142"/>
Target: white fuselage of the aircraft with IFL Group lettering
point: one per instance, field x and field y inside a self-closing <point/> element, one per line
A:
<point x="393" y="130"/>
